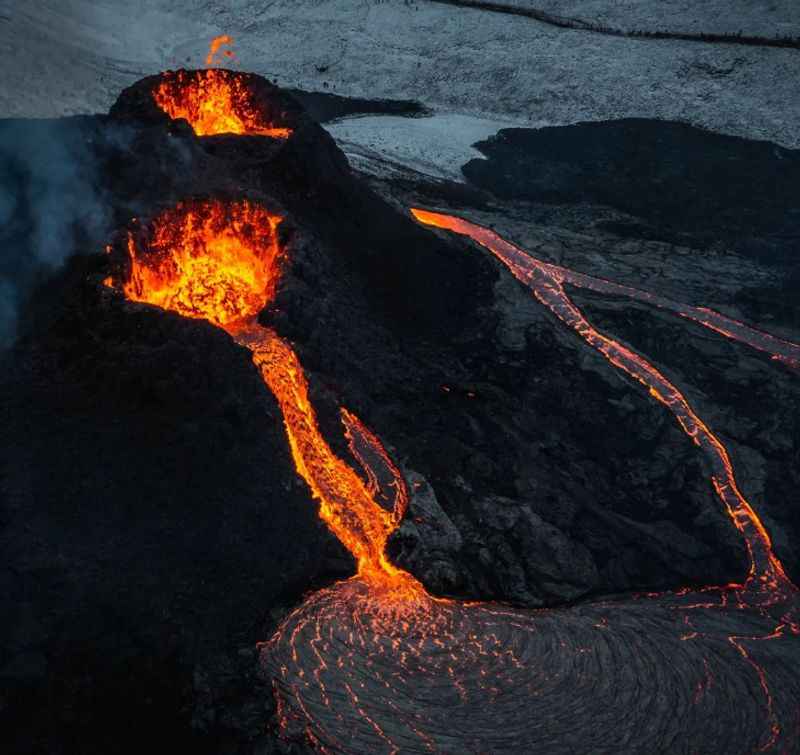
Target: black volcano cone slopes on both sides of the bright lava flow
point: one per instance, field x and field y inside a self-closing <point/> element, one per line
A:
<point x="152" y="522"/>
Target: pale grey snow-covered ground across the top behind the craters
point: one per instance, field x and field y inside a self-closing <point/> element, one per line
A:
<point x="478" y="70"/>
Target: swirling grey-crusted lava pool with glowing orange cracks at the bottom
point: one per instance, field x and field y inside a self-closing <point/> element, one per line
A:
<point x="640" y="676"/>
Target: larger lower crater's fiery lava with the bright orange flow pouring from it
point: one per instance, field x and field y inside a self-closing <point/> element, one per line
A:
<point x="220" y="262"/>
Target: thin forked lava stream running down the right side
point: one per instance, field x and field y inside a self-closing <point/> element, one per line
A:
<point x="766" y="574"/>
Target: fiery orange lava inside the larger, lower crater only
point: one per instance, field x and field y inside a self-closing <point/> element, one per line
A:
<point x="210" y="259"/>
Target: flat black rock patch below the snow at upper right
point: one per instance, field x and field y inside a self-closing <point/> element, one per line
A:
<point x="671" y="181"/>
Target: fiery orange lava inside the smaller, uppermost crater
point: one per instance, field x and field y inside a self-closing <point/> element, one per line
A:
<point x="214" y="102"/>
